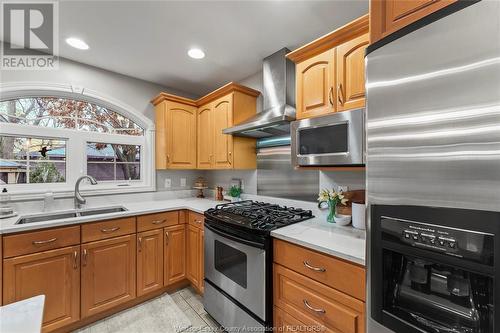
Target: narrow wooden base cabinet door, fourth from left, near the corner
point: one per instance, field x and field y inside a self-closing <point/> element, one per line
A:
<point x="175" y="254"/>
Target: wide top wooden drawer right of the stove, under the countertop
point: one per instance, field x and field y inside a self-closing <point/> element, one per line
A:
<point x="333" y="272"/>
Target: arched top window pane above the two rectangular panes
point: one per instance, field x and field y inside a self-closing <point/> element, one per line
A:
<point x="67" y="113"/>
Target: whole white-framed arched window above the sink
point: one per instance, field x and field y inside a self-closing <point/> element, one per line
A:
<point x="47" y="142"/>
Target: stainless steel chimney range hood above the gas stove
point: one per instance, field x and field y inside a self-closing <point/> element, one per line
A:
<point x="279" y="100"/>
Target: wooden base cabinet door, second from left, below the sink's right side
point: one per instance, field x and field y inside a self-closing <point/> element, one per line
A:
<point x="108" y="273"/>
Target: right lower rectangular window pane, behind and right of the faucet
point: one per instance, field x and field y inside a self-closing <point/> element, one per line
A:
<point x="110" y="162"/>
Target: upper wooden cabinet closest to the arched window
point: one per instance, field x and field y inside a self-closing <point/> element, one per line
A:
<point x="175" y="133"/>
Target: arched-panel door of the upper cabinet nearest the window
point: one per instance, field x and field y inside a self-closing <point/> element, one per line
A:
<point x="181" y="145"/>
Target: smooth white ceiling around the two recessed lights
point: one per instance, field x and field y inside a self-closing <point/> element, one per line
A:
<point x="149" y="39"/>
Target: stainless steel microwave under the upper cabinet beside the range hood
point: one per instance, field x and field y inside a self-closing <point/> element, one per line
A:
<point x="336" y="139"/>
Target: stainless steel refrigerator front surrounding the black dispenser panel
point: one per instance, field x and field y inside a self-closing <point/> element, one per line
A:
<point x="433" y="117"/>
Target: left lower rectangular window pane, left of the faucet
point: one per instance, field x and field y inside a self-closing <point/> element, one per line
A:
<point x="25" y="160"/>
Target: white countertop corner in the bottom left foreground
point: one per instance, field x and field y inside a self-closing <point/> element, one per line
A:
<point x="22" y="317"/>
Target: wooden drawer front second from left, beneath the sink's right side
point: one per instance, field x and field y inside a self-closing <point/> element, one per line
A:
<point x="107" y="229"/>
